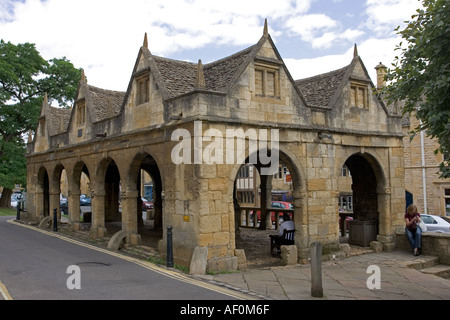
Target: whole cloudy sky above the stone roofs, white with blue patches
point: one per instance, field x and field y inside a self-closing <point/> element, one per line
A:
<point x="104" y="36"/>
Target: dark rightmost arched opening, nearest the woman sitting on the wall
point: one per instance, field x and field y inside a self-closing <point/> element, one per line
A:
<point x="366" y="183"/>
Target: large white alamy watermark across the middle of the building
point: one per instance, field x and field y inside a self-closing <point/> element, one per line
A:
<point x="227" y="148"/>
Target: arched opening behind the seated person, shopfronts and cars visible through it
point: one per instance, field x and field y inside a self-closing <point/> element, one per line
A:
<point x="260" y="202"/>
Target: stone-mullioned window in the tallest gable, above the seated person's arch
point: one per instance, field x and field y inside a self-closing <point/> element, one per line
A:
<point x="267" y="79"/>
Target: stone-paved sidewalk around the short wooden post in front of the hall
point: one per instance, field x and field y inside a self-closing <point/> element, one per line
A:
<point x="344" y="280"/>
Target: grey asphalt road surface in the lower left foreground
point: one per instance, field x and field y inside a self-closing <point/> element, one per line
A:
<point x="42" y="265"/>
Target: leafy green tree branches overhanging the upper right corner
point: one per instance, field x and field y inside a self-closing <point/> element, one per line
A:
<point x="421" y="75"/>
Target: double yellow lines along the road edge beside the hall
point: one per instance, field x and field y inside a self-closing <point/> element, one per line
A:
<point x="145" y="264"/>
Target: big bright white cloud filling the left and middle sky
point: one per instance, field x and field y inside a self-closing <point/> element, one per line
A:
<point x="103" y="36"/>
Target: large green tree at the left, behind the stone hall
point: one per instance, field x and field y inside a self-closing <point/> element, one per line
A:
<point x="24" y="79"/>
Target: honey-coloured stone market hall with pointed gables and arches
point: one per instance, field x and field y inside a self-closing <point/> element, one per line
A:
<point x="323" y="123"/>
